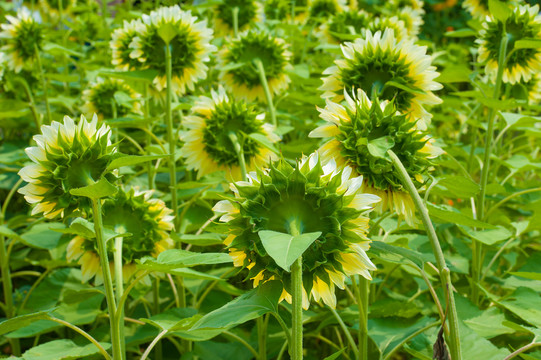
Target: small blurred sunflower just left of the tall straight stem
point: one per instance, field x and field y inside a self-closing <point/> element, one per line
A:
<point x="100" y="99"/>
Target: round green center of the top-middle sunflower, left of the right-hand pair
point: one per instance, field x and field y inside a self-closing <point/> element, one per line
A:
<point x="254" y="46"/>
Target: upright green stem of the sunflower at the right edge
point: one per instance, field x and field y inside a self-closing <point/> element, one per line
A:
<point x="478" y="247"/>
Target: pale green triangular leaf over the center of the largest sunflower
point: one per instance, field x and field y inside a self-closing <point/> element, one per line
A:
<point x="285" y="248"/>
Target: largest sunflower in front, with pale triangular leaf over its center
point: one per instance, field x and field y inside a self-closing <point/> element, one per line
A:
<point x="318" y="199"/>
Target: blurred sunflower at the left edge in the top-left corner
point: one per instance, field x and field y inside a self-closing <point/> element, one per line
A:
<point x="23" y="37"/>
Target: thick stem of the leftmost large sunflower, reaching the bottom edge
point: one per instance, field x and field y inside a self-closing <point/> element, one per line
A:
<point x="107" y="280"/>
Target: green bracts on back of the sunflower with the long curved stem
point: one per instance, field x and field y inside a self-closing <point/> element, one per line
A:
<point x="366" y="129"/>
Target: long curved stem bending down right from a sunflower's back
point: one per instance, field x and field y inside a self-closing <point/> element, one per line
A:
<point x="438" y="254"/>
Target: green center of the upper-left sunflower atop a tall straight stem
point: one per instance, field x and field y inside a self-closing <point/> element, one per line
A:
<point x="183" y="51"/>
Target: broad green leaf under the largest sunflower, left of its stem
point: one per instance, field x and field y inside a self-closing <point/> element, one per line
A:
<point x="248" y="306"/>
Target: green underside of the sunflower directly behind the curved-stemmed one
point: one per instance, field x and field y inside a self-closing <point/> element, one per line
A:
<point x="371" y="72"/>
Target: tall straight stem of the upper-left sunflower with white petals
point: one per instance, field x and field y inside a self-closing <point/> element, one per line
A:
<point x="170" y="139"/>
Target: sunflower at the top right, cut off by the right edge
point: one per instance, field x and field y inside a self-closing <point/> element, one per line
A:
<point x="524" y="23"/>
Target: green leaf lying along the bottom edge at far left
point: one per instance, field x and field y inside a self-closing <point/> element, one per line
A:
<point x="61" y="349"/>
